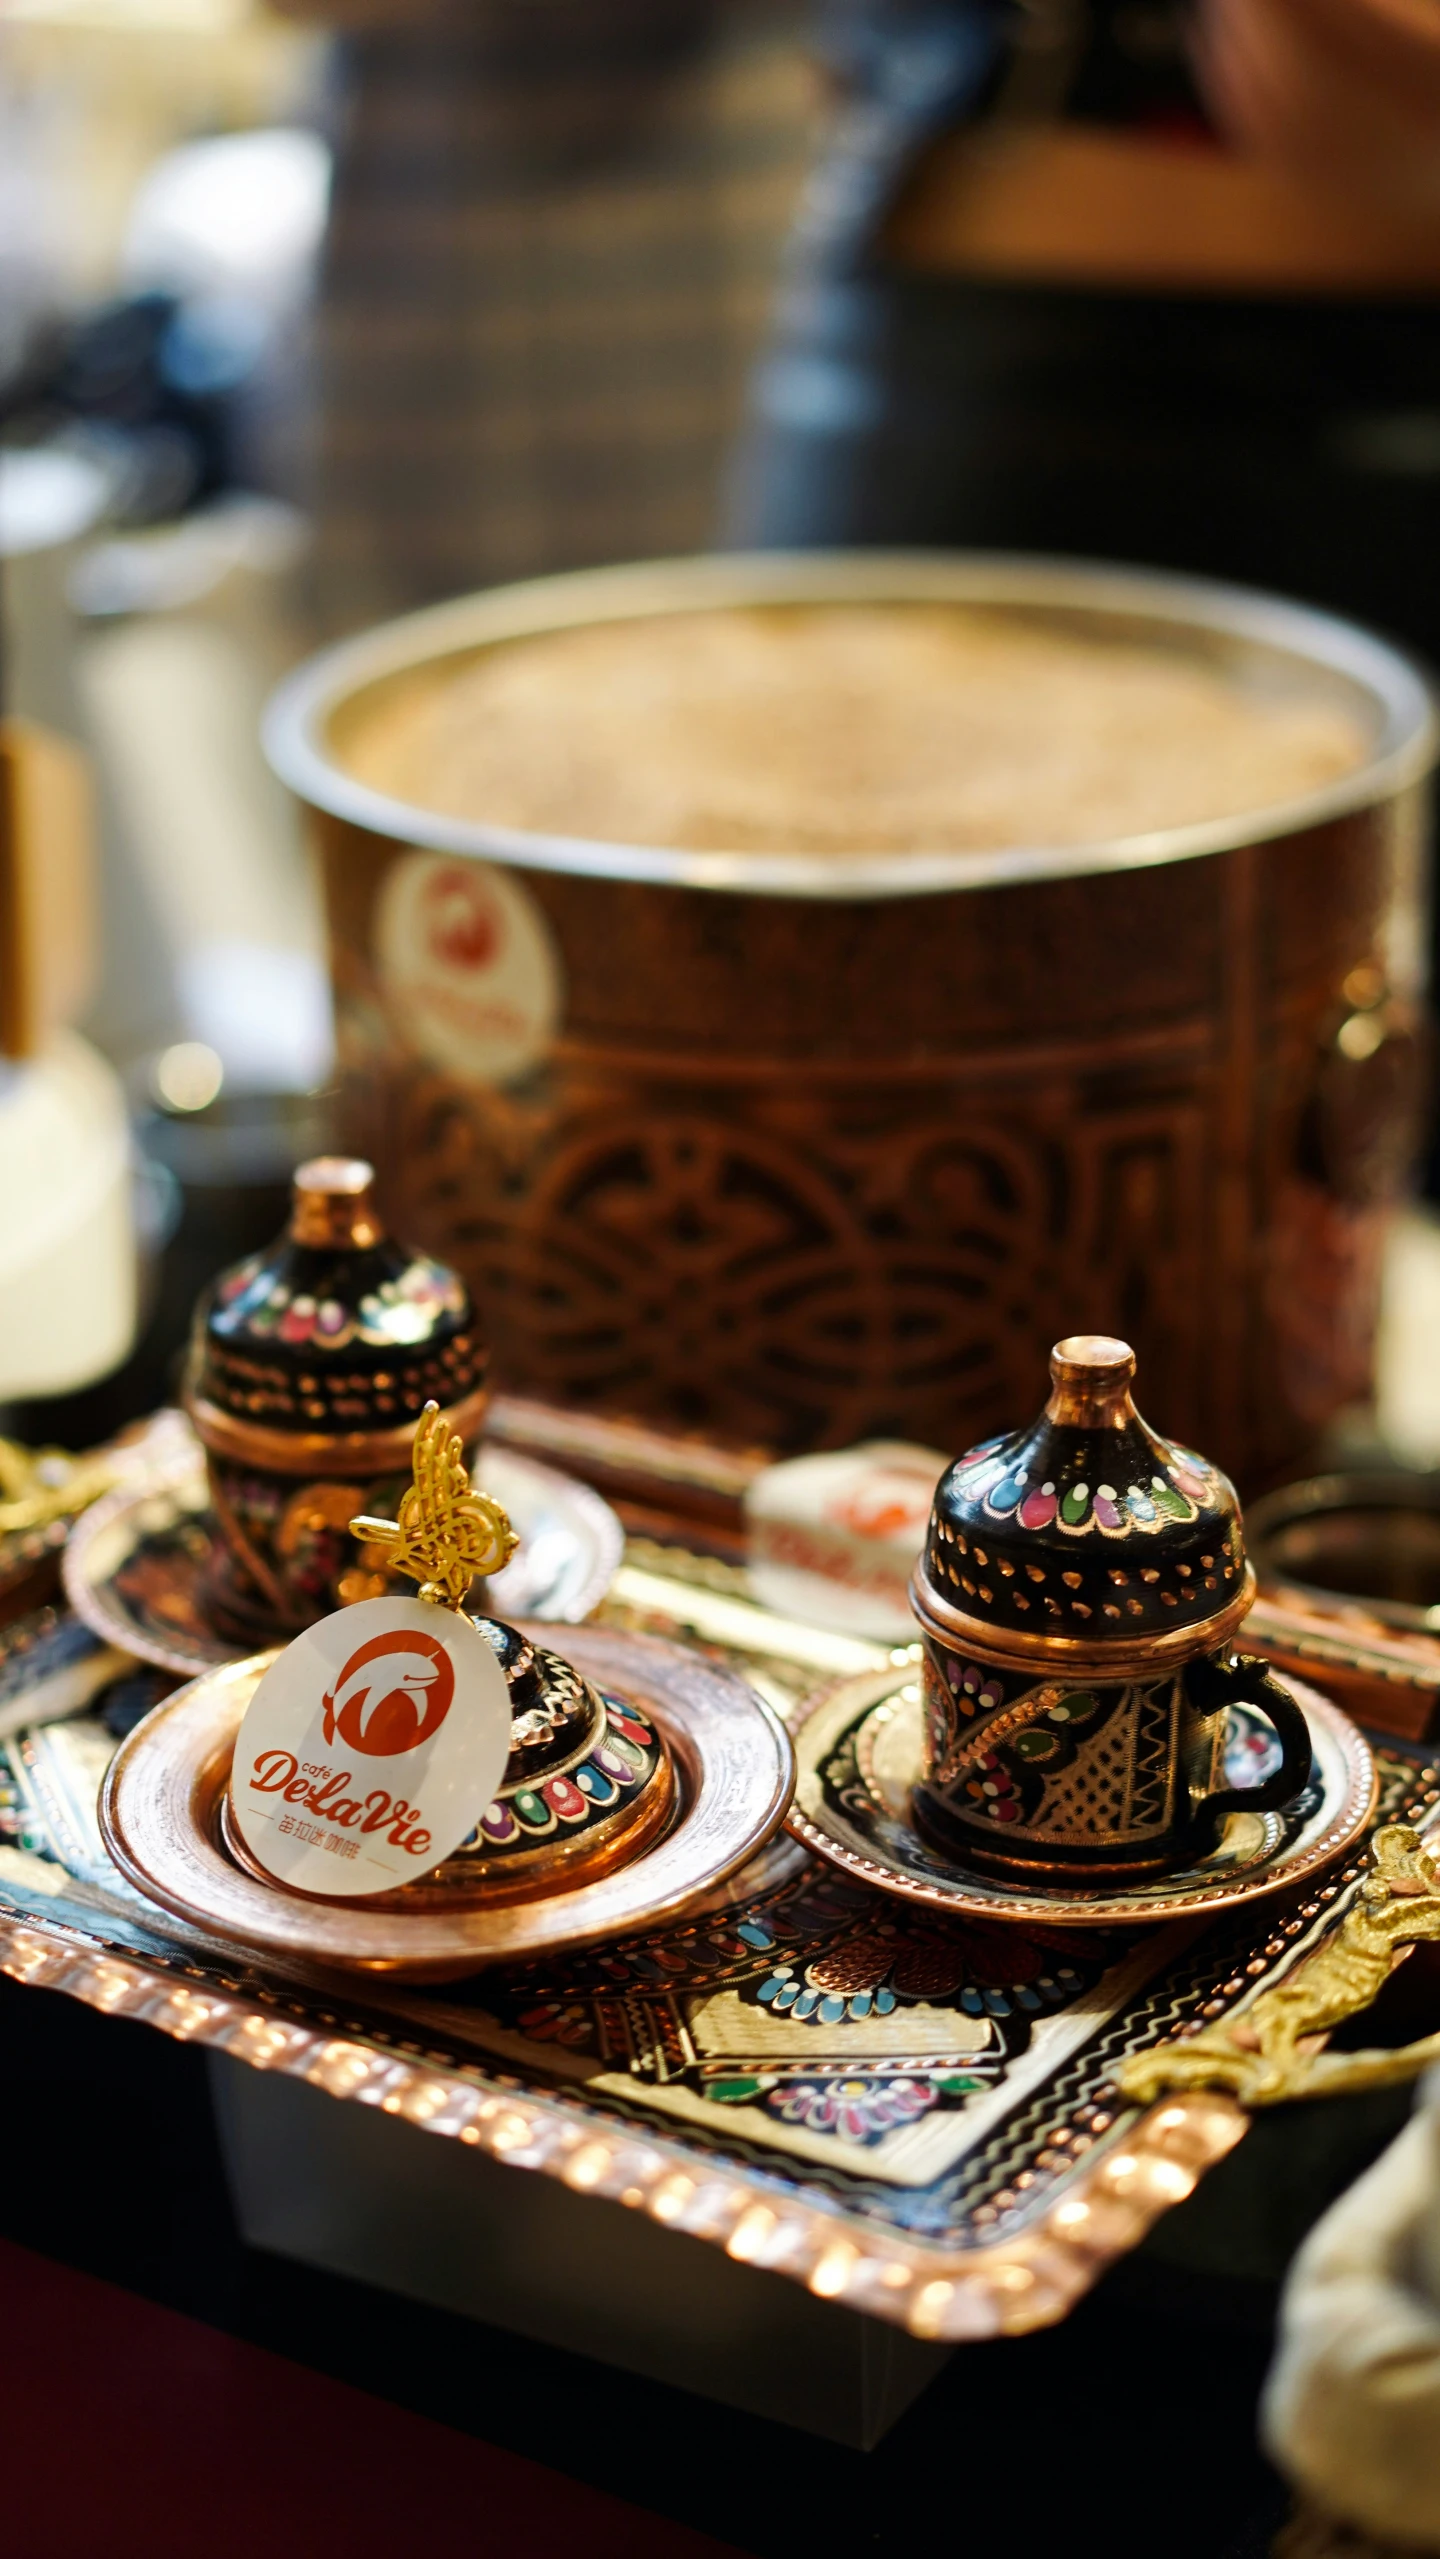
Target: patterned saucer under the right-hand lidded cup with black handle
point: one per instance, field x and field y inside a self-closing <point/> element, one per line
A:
<point x="858" y="1757"/>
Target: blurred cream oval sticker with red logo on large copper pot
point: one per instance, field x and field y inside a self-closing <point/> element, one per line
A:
<point x="469" y="966"/>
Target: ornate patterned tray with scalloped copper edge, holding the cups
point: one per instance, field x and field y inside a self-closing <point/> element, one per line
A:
<point x="912" y="2112"/>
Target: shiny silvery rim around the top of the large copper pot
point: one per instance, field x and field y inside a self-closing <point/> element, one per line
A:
<point x="298" y="731"/>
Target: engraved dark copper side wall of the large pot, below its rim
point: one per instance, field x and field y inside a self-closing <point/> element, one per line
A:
<point x="804" y="1171"/>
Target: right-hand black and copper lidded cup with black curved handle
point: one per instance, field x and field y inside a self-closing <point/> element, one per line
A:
<point x="1078" y="1601"/>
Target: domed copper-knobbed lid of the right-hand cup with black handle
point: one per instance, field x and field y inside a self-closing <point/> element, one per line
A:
<point x="1086" y="1534"/>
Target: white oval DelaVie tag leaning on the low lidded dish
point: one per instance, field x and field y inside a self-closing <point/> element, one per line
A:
<point x="370" y="1749"/>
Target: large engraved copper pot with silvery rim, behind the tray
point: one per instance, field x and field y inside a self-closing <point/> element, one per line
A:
<point x="797" y="1150"/>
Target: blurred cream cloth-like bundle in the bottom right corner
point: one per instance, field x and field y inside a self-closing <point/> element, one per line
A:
<point x="1352" y="2409"/>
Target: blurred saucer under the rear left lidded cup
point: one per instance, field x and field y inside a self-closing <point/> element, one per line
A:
<point x="134" y="1562"/>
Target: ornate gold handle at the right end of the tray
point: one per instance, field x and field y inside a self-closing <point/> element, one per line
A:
<point x="1275" y="2048"/>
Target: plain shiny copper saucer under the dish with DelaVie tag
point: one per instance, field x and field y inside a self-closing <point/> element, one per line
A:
<point x="160" y="1813"/>
